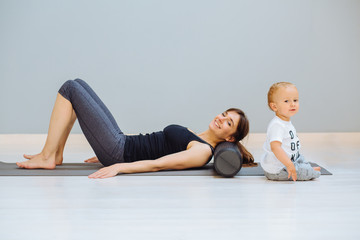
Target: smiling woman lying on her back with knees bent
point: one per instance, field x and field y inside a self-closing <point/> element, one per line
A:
<point x="173" y="148"/>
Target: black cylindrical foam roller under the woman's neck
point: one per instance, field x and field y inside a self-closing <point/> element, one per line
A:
<point x="227" y="159"/>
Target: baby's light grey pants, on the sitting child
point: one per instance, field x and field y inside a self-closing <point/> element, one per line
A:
<point x="304" y="172"/>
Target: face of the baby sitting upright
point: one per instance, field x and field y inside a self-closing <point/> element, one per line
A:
<point x="286" y="102"/>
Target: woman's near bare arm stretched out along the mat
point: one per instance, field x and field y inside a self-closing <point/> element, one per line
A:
<point x="196" y="156"/>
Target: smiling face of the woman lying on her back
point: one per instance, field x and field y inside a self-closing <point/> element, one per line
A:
<point x="225" y="125"/>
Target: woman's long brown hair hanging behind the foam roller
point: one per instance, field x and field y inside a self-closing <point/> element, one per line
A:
<point x="241" y="132"/>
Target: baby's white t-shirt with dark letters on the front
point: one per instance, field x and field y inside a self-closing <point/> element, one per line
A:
<point x="284" y="132"/>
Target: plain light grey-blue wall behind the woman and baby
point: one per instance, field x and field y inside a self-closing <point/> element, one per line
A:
<point x="160" y="62"/>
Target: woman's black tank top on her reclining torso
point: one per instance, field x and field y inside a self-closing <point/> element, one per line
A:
<point x="172" y="139"/>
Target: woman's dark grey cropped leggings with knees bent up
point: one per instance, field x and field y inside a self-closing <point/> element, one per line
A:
<point x="96" y="121"/>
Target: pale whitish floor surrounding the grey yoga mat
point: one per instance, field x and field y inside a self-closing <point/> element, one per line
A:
<point x="165" y="207"/>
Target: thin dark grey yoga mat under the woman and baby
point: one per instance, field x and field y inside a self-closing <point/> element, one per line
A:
<point x="84" y="169"/>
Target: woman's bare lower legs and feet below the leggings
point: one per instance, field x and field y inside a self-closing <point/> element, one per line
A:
<point x="61" y="121"/>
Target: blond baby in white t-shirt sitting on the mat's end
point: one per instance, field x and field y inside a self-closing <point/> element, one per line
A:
<point x="282" y="160"/>
